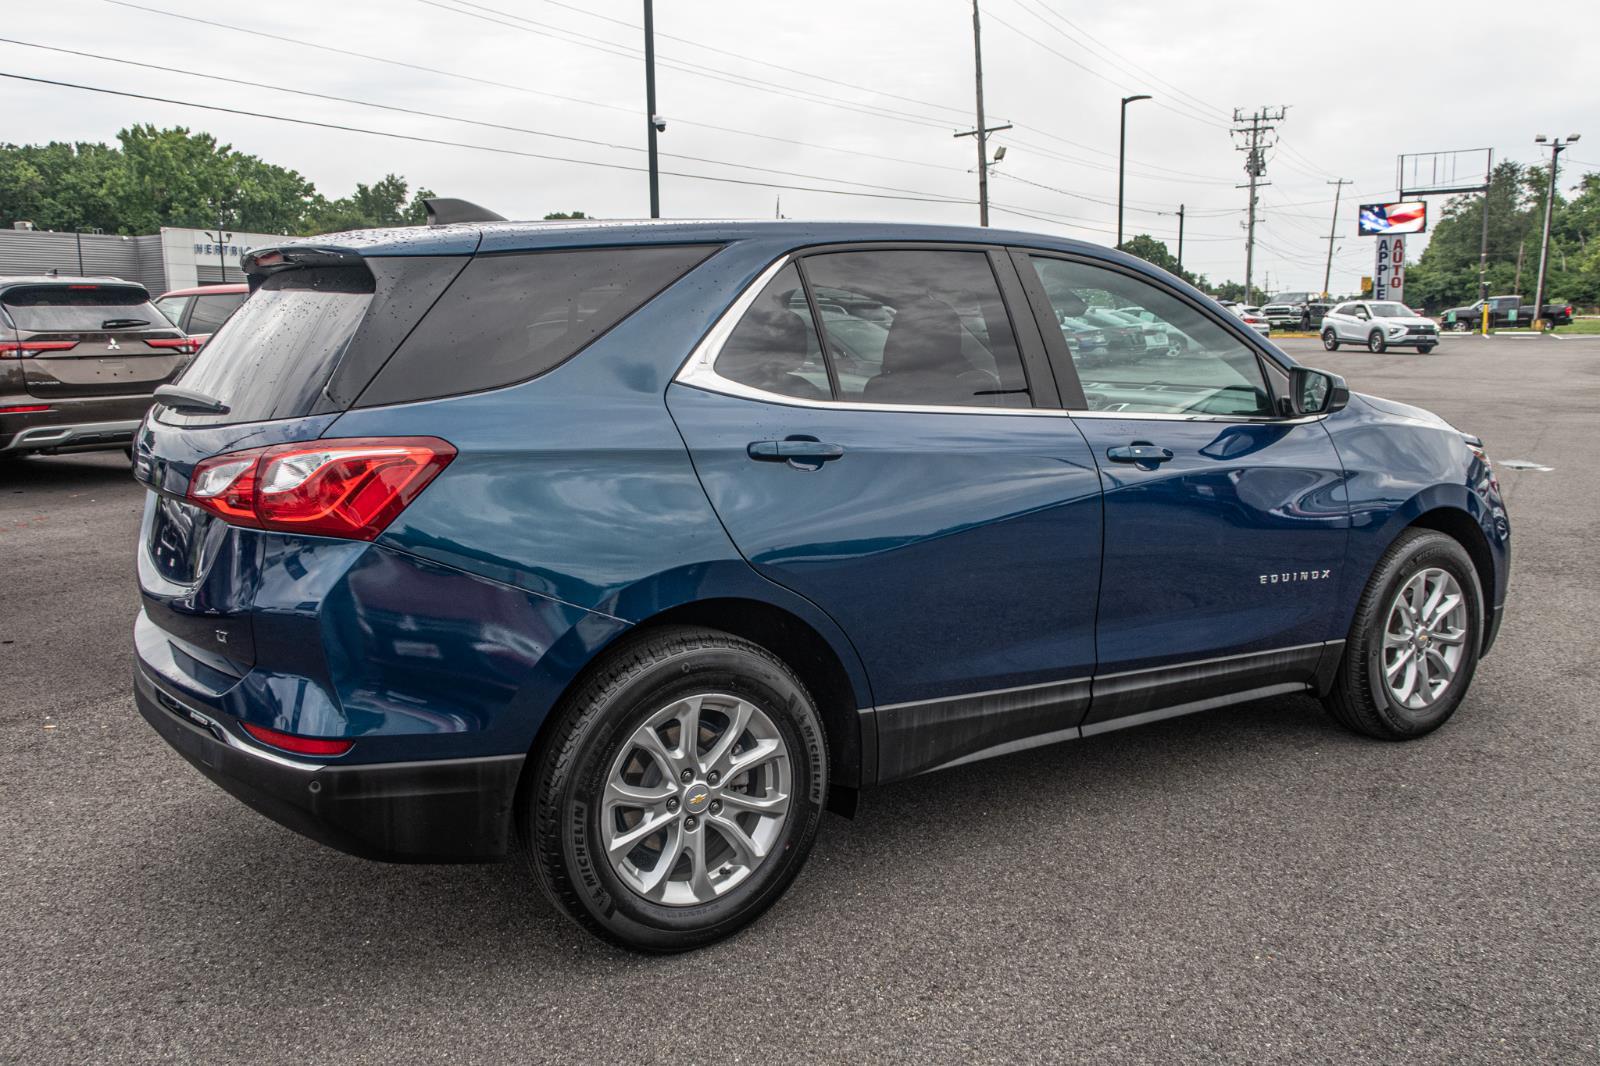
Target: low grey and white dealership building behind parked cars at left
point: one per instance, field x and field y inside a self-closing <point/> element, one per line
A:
<point x="174" y="258"/>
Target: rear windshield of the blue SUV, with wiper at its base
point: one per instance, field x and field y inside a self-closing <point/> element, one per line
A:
<point x="273" y="358"/>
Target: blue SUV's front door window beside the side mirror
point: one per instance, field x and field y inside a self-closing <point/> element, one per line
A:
<point x="1142" y="350"/>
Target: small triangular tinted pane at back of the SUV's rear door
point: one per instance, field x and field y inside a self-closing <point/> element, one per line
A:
<point x="775" y="345"/>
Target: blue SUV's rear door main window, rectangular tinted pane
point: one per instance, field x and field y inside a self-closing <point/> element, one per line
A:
<point x="918" y="327"/>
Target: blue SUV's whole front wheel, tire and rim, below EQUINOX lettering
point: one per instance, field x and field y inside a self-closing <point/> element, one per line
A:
<point x="1415" y="641"/>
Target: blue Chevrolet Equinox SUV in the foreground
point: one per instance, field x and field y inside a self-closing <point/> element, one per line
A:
<point x="636" y="547"/>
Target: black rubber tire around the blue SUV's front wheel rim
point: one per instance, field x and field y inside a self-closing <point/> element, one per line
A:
<point x="1359" y="700"/>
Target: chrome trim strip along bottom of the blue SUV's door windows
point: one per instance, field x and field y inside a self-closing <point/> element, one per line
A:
<point x="700" y="372"/>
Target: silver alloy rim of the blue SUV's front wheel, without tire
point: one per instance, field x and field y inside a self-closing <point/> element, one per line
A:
<point x="1425" y="639"/>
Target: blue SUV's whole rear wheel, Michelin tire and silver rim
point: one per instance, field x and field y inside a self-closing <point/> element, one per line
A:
<point x="679" y="791"/>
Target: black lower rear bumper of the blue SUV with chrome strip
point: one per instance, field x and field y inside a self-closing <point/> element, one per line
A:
<point x="446" y="811"/>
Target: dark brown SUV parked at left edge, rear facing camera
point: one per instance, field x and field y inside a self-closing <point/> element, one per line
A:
<point x="79" y="361"/>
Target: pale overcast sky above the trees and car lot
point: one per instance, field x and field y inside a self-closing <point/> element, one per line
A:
<point x="833" y="92"/>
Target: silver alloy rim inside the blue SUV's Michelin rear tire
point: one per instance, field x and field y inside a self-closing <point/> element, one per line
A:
<point x="697" y="799"/>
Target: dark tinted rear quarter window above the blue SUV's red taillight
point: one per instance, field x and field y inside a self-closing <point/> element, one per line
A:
<point x="513" y="318"/>
